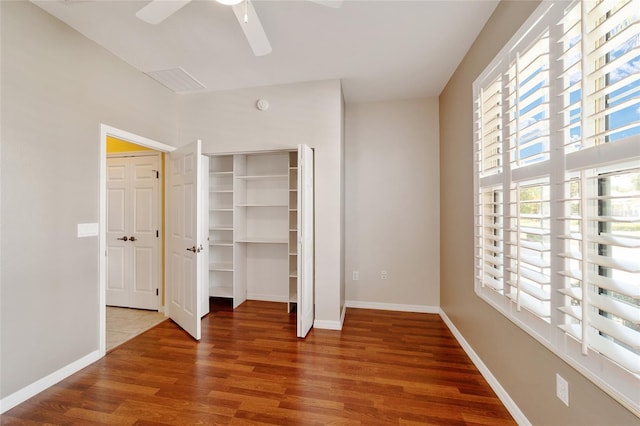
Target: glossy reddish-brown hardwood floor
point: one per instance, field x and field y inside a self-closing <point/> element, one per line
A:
<point x="249" y="368"/>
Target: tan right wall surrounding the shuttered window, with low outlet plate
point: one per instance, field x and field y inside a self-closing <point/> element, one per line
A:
<point x="524" y="367"/>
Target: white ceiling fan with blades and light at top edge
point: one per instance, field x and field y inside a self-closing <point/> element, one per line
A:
<point x="158" y="10"/>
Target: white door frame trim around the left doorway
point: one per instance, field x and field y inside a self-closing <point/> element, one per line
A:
<point x="105" y="131"/>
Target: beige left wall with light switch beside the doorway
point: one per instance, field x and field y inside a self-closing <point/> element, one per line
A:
<point x="57" y="88"/>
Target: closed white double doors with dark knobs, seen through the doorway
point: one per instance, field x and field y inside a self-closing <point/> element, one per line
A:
<point x="133" y="244"/>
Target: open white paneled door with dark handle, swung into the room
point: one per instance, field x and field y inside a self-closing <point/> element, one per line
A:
<point x="184" y="214"/>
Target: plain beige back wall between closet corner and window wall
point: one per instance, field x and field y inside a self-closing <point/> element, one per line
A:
<point x="392" y="196"/>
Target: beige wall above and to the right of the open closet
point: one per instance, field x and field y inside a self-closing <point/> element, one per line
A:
<point x="309" y="113"/>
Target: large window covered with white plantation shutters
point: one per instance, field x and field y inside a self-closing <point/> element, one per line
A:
<point x="557" y="187"/>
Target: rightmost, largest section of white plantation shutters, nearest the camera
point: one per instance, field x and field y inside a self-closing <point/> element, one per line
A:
<point x="600" y="103"/>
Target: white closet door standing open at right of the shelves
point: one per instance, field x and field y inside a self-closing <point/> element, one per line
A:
<point x="306" y="274"/>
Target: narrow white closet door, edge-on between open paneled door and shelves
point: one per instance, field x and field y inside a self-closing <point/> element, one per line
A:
<point x="203" y="232"/>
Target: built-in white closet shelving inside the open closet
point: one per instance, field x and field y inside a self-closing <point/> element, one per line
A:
<point x="253" y="212"/>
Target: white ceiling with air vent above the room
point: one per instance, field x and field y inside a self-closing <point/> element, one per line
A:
<point x="380" y="50"/>
